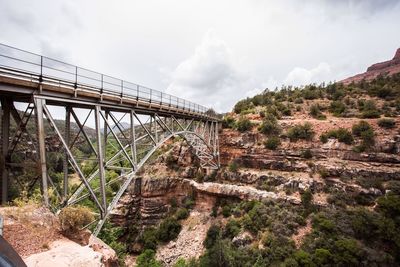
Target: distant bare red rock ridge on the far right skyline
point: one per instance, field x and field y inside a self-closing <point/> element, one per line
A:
<point x="389" y="68"/>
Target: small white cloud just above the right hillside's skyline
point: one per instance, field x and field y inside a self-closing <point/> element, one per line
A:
<point x="301" y="76"/>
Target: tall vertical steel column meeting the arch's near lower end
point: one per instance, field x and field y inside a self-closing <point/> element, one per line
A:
<point x="100" y="159"/>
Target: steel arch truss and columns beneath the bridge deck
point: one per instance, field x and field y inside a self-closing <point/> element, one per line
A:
<point x="117" y="152"/>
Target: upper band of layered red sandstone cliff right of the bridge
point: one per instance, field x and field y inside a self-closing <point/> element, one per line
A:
<point x="338" y="159"/>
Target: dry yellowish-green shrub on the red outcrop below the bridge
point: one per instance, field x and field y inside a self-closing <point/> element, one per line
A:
<point x="72" y="219"/>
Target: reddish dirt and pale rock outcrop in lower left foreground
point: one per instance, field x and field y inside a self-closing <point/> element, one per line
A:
<point x="34" y="232"/>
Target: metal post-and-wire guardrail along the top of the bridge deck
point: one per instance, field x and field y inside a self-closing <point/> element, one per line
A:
<point x="15" y="60"/>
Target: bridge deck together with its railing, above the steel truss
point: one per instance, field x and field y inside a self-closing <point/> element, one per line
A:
<point x="23" y="74"/>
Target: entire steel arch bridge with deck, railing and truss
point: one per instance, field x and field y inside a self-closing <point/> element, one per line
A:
<point x="46" y="107"/>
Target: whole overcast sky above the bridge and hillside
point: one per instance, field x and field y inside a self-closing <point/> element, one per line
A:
<point x="210" y="52"/>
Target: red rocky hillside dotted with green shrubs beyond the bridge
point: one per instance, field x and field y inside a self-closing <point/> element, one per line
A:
<point x="310" y="176"/>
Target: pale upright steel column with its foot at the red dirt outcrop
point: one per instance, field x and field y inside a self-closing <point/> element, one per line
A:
<point x="39" y="103"/>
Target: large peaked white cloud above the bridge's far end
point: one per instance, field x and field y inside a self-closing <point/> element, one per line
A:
<point x="209" y="76"/>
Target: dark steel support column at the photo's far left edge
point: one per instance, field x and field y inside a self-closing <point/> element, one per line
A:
<point x="5" y="135"/>
